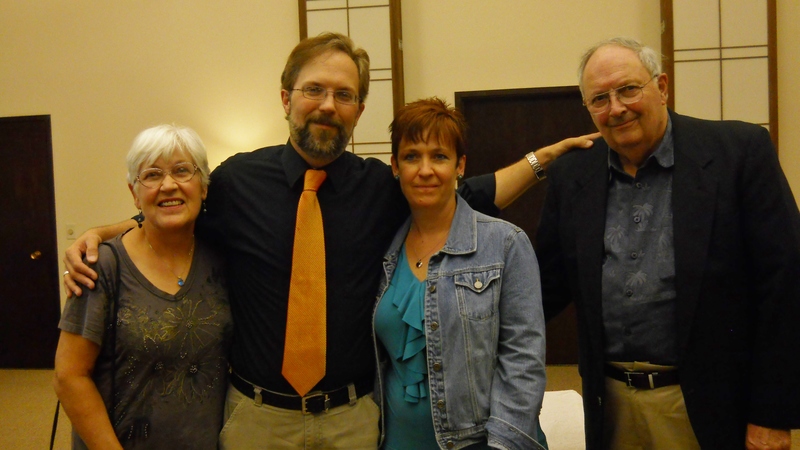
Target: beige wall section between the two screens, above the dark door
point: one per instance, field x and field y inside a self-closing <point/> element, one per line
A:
<point x="465" y="45"/>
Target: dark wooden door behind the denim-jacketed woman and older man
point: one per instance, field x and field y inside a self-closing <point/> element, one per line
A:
<point x="502" y="127"/>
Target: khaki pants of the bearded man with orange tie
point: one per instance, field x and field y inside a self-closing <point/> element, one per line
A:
<point x="345" y="427"/>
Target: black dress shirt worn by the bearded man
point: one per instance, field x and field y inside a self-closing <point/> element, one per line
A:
<point x="252" y="207"/>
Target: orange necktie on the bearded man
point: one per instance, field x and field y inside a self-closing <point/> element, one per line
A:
<point x="304" y="350"/>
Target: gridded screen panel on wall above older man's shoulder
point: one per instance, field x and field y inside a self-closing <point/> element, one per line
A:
<point x="722" y="56"/>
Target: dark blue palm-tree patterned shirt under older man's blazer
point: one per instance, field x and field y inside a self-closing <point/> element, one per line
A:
<point x="639" y="308"/>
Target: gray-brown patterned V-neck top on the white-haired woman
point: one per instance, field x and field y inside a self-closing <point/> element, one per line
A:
<point x="171" y="352"/>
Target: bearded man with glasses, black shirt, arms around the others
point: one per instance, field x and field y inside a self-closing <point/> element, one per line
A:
<point x="251" y="213"/>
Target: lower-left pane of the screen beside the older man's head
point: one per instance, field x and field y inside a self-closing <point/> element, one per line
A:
<point x="699" y="89"/>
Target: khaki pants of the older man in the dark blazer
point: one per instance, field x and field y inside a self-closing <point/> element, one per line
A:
<point x="646" y="419"/>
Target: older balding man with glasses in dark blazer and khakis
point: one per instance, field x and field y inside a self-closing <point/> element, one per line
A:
<point x="678" y="239"/>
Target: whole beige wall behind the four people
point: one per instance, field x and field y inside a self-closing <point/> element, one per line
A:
<point x="106" y="70"/>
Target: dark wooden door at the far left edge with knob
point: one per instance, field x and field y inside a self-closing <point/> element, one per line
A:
<point x="29" y="296"/>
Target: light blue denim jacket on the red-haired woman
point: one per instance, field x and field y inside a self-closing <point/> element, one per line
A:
<point x="484" y="330"/>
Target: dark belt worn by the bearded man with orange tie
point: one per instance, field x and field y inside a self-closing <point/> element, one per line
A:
<point x="313" y="402"/>
